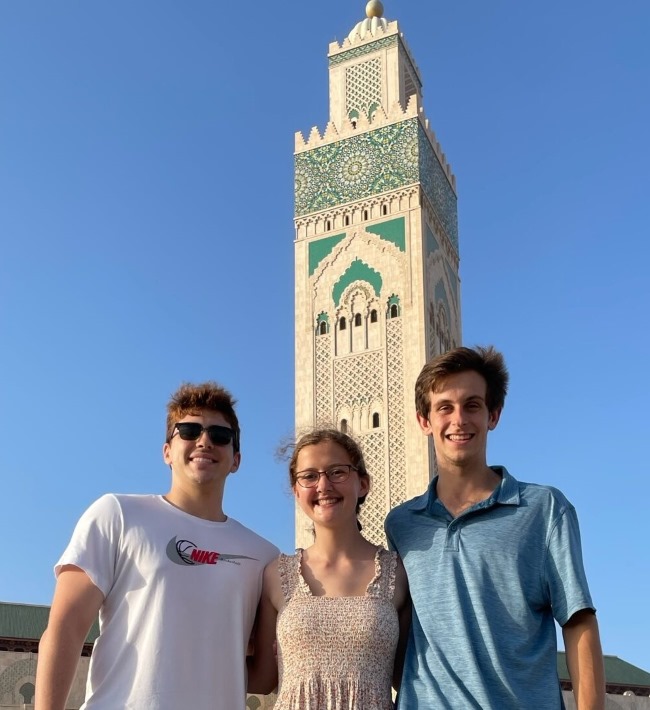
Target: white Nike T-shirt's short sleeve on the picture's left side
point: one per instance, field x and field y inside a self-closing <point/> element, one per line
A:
<point x="95" y="541"/>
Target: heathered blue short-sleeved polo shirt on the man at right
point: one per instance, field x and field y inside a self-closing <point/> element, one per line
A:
<point x="486" y="588"/>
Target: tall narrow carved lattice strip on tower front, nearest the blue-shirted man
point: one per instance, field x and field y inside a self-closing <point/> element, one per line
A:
<point x="396" y="422"/>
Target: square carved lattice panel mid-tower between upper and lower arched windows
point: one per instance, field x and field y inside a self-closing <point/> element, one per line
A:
<point x="357" y="379"/>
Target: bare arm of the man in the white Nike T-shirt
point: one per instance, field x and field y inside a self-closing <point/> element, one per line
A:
<point x="75" y="606"/>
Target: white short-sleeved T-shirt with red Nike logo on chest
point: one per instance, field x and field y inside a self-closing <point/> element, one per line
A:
<point x="180" y="600"/>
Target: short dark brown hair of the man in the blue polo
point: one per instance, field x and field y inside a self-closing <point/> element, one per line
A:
<point x="487" y="361"/>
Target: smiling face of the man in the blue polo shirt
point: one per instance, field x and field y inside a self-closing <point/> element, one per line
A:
<point x="459" y="421"/>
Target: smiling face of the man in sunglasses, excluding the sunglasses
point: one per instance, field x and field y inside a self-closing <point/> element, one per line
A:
<point x="200" y="463"/>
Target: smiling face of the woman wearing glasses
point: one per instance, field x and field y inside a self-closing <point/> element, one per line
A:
<point x="329" y="503"/>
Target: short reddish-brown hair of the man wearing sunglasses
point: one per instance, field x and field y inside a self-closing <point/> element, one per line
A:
<point x="193" y="399"/>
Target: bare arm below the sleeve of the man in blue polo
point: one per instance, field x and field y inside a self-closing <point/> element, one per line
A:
<point x="585" y="660"/>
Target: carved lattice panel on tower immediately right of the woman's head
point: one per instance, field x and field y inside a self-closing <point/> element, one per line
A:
<point x="373" y="511"/>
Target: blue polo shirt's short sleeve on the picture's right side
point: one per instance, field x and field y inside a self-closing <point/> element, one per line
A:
<point x="565" y="574"/>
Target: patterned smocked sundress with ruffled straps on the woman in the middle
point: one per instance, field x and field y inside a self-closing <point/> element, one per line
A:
<point x="336" y="653"/>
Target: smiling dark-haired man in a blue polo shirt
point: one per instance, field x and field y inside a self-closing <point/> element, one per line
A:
<point x="492" y="563"/>
